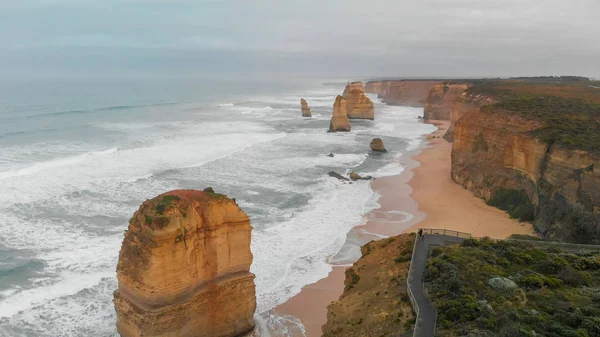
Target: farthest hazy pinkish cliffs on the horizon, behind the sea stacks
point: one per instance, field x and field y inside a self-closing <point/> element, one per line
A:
<point x="401" y="92"/>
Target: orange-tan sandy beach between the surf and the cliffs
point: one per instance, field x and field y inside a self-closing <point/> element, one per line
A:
<point x="426" y="191"/>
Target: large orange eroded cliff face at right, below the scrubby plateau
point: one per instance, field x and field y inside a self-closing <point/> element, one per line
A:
<point x="495" y="150"/>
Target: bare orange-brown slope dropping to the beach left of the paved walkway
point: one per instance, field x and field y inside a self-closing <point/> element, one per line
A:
<point x="375" y="301"/>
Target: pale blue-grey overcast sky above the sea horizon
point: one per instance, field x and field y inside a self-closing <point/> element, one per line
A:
<point x="319" y="38"/>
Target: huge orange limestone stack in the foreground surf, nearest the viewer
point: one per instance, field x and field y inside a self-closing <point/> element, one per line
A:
<point x="184" y="268"/>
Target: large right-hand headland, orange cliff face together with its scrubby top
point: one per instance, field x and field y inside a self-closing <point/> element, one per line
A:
<point x="532" y="149"/>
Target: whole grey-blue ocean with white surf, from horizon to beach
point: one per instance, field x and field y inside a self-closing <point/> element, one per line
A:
<point x="77" y="158"/>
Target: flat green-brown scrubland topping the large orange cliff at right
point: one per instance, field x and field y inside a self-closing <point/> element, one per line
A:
<point x="568" y="107"/>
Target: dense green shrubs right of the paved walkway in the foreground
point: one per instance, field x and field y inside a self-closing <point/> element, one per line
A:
<point x="485" y="288"/>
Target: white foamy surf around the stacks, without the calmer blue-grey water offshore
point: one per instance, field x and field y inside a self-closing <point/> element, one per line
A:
<point x="71" y="207"/>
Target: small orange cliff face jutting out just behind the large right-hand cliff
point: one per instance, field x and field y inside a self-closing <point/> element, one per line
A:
<point x="440" y="100"/>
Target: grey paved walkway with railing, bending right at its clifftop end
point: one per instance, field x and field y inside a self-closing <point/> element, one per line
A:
<point x="425" y="325"/>
